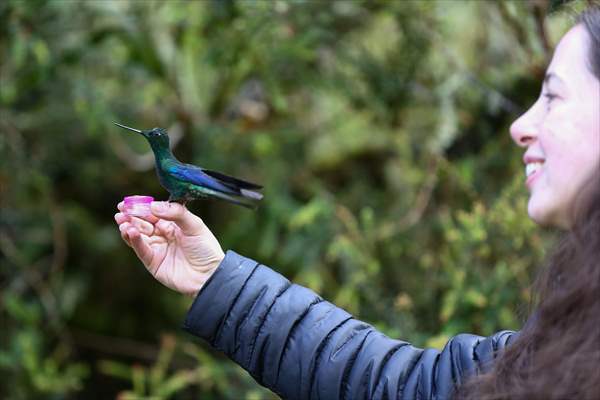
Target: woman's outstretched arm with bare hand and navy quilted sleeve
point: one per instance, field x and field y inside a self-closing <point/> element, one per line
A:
<point x="287" y="337"/>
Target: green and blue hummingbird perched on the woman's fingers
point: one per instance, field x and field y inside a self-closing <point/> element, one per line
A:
<point x="186" y="182"/>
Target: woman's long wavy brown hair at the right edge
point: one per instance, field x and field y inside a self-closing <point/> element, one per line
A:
<point x="557" y="353"/>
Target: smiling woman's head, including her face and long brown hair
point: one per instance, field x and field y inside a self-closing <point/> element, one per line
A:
<point x="557" y="354"/>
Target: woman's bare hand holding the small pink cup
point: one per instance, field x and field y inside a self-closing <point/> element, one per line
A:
<point x="174" y="245"/>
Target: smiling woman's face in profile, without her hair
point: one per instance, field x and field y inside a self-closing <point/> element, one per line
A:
<point x="561" y="133"/>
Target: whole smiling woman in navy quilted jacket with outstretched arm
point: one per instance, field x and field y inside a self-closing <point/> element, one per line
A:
<point x="300" y="346"/>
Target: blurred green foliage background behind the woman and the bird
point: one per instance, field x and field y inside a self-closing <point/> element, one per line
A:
<point x="379" y="129"/>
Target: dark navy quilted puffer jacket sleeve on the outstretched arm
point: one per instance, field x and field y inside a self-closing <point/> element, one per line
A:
<point x="303" y="347"/>
